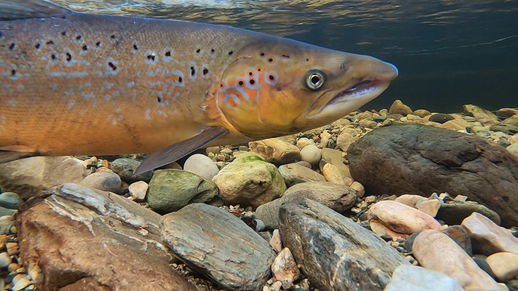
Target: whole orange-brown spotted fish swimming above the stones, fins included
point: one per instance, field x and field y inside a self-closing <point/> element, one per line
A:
<point x="76" y="83"/>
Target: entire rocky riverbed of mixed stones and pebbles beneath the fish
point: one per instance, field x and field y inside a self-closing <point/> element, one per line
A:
<point x="393" y="199"/>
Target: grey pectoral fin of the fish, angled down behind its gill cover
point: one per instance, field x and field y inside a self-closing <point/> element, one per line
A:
<point x="178" y="150"/>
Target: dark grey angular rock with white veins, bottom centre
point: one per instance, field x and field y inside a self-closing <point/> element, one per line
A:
<point x="335" y="252"/>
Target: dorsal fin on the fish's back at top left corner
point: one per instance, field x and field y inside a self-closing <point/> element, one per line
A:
<point x="10" y="9"/>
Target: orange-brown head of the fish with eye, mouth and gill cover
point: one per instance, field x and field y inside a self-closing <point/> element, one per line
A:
<point x="278" y="87"/>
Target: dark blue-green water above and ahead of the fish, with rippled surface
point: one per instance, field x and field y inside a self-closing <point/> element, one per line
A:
<point x="449" y="53"/>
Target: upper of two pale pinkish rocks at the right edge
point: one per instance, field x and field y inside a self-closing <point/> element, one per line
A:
<point x="488" y="238"/>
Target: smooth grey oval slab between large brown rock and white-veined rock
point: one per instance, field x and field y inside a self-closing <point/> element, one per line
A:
<point x="211" y="240"/>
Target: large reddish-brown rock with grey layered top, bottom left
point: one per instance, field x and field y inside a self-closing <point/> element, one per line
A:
<point x="78" y="233"/>
